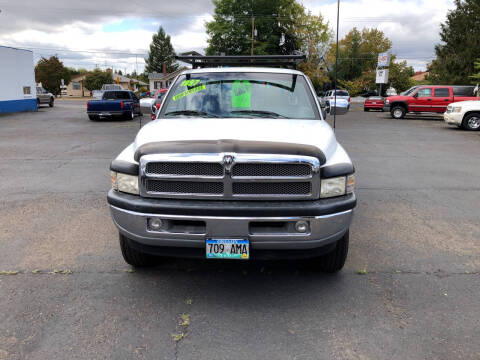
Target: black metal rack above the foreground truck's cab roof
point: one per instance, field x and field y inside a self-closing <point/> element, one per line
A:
<point x="200" y="61"/>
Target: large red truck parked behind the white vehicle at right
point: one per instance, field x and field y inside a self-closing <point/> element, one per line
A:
<point x="427" y="98"/>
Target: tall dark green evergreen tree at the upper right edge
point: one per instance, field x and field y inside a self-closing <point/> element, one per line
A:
<point x="460" y="46"/>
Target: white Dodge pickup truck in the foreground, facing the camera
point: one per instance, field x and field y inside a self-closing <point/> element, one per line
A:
<point x="239" y="164"/>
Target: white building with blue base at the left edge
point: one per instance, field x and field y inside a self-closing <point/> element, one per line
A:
<point x="17" y="80"/>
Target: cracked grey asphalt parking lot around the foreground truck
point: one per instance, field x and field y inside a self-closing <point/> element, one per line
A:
<point x="416" y="238"/>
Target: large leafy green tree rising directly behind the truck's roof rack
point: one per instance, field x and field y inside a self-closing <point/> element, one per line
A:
<point x="230" y="31"/>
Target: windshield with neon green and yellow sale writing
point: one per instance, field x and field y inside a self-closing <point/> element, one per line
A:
<point x="242" y="94"/>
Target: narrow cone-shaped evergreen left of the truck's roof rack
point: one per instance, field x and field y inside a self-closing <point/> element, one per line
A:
<point x="161" y="51"/>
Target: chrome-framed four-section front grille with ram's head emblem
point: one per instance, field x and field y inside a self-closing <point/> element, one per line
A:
<point x="230" y="177"/>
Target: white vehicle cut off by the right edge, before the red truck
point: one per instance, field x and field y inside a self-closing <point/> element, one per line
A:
<point x="465" y="114"/>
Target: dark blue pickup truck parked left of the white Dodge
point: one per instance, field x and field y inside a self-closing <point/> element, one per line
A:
<point x="124" y="104"/>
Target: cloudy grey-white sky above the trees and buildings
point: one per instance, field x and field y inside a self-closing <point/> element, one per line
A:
<point x="107" y="33"/>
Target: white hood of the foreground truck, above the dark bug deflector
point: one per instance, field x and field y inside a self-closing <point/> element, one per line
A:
<point x="315" y="133"/>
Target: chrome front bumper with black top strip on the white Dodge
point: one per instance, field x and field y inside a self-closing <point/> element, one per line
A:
<point x="267" y="225"/>
